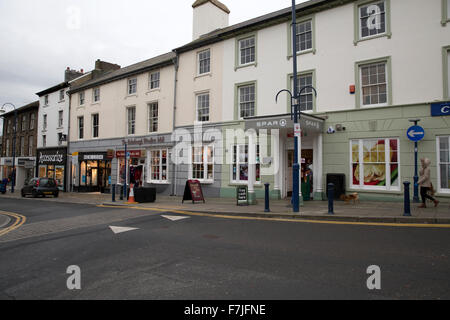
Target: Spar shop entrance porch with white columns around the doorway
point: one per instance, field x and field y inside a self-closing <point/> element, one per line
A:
<point x="280" y="156"/>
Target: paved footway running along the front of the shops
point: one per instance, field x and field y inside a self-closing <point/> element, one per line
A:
<point x="364" y="211"/>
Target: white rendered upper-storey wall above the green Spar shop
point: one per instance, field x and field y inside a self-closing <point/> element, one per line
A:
<point x="415" y="50"/>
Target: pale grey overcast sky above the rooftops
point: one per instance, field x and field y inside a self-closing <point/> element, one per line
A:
<point x="41" y="38"/>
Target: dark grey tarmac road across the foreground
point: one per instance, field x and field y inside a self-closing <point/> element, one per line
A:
<point x="201" y="257"/>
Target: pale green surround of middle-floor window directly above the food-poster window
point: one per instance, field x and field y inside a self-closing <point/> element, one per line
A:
<point x="358" y="87"/>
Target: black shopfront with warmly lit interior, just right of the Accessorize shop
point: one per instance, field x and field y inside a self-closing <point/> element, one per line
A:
<point x="95" y="172"/>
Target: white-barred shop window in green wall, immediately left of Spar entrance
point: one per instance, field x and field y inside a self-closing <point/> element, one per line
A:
<point x="239" y="166"/>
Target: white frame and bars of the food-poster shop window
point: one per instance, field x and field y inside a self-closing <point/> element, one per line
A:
<point x="388" y="186"/>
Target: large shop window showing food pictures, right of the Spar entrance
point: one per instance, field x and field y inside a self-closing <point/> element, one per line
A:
<point x="375" y="164"/>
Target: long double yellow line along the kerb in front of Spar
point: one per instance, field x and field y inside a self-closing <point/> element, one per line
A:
<point x="383" y="224"/>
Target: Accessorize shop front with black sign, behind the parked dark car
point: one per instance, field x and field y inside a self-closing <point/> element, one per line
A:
<point x="52" y="163"/>
